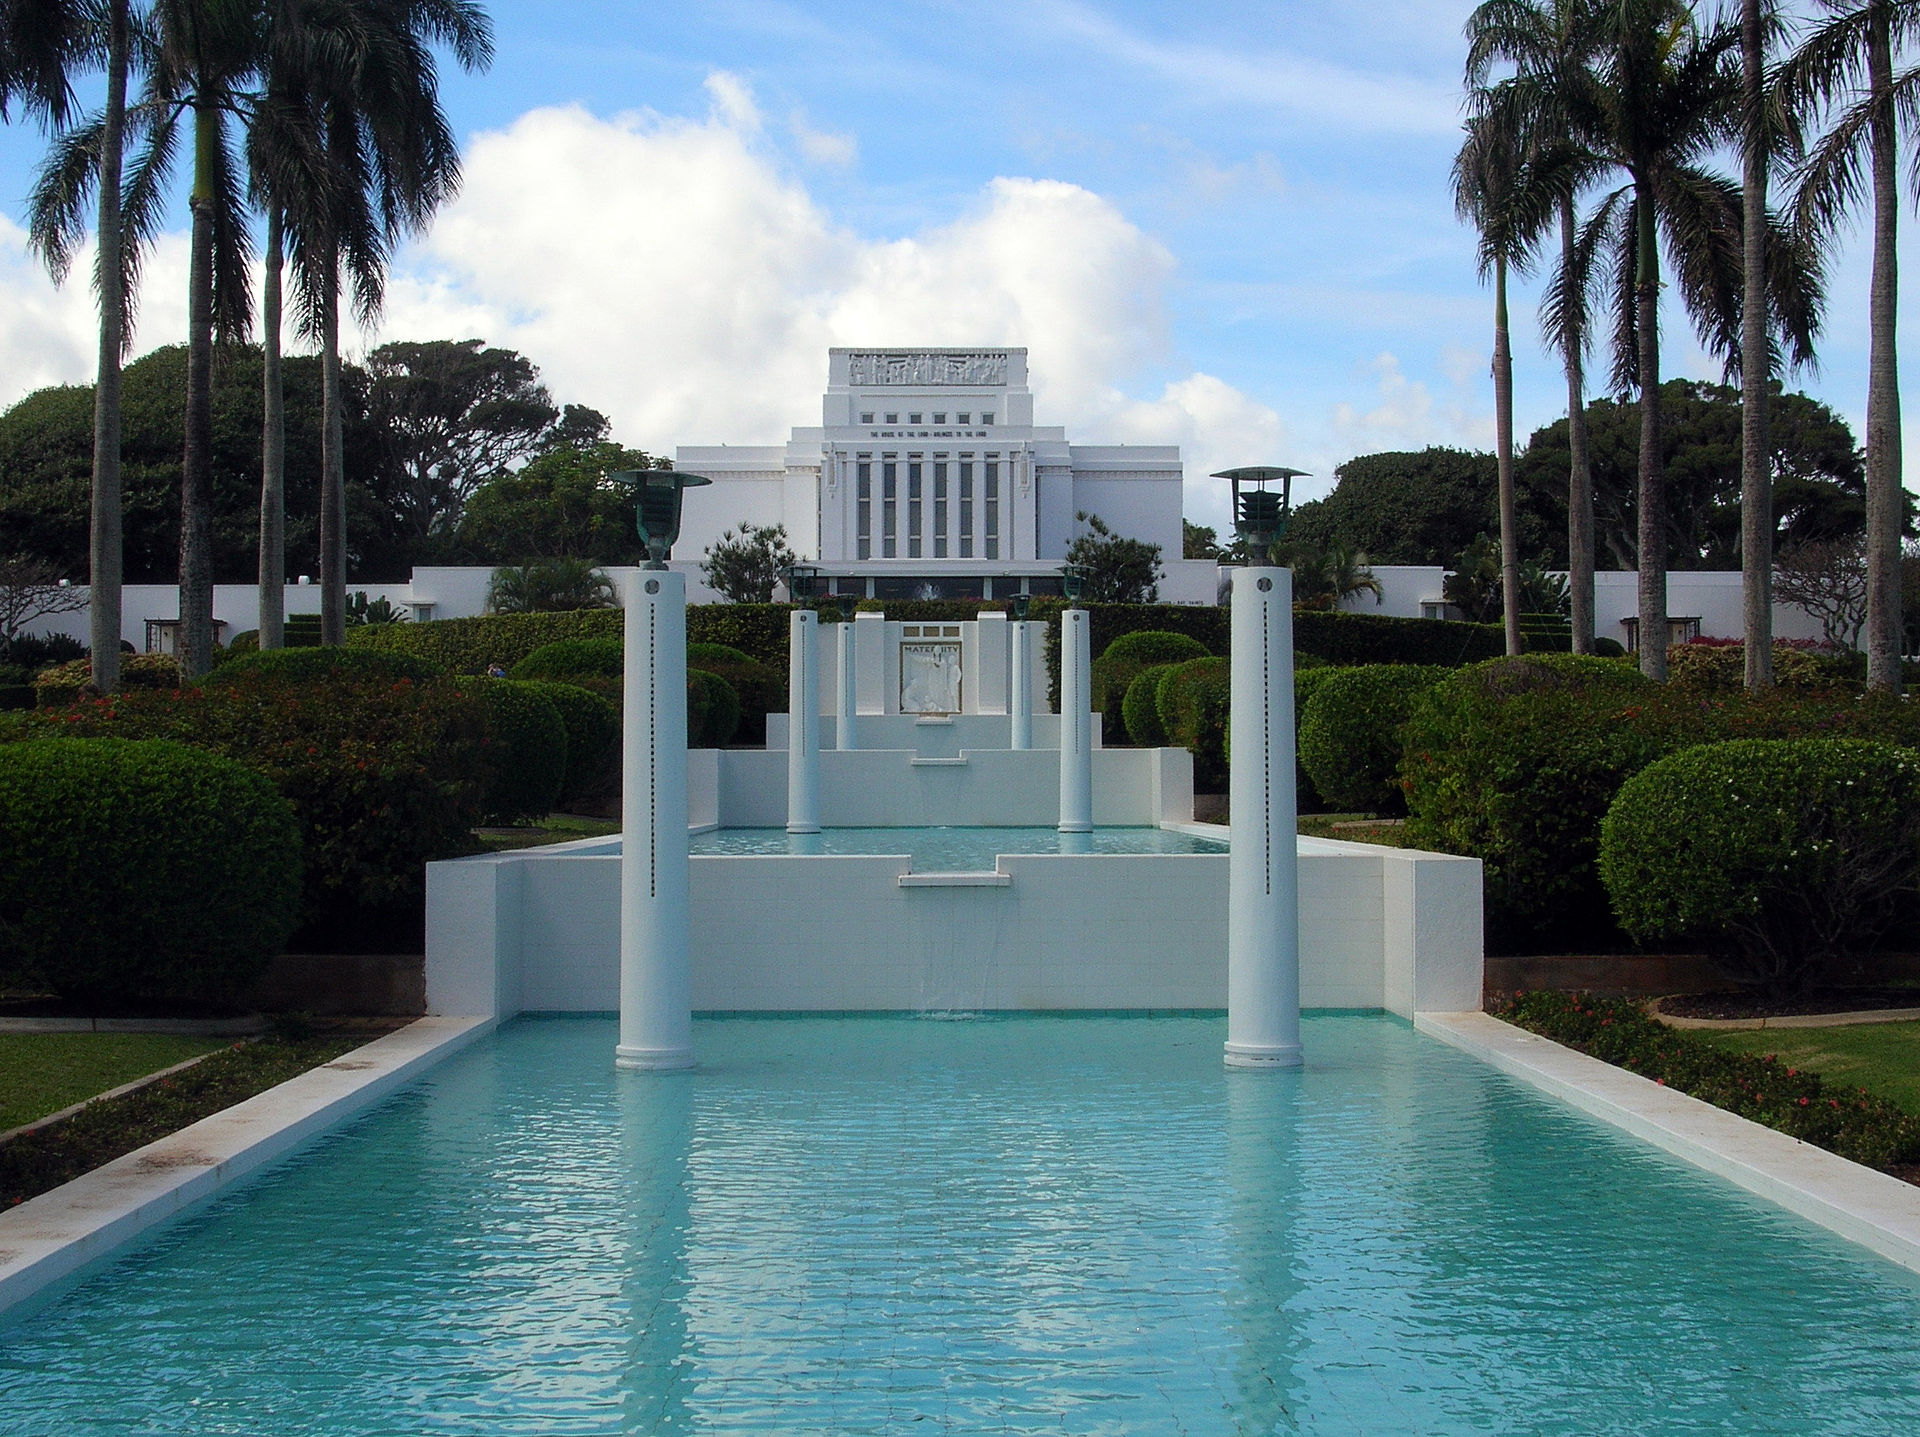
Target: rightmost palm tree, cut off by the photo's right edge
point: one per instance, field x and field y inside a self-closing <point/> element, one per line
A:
<point x="1846" y="68"/>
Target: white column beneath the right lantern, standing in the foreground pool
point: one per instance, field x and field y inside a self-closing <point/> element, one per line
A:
<point x="1262" y="869"/>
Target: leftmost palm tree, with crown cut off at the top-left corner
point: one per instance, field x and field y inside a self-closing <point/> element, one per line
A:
<point x="39" y="45"/>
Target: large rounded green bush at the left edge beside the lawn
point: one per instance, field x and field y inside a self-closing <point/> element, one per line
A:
<point x="143" y="871"/>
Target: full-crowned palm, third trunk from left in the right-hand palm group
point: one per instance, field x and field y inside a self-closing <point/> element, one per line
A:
<point x="1662" y="95"/>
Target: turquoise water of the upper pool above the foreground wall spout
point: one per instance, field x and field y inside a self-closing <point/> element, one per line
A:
<point x="951" y="850"/>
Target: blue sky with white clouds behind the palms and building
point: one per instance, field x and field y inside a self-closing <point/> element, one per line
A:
<point x="1222" y="226"/>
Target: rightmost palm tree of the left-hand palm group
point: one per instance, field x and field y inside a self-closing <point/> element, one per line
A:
<point x="391" y="162"/>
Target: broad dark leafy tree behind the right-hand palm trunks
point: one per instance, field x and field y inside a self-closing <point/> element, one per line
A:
<point x="1817" y="477"/>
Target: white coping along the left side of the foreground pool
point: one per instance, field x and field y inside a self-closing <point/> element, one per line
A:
<point x="68" y="1230"/>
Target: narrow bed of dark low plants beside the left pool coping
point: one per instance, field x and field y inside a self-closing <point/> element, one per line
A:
<point x="101" y="1133"/>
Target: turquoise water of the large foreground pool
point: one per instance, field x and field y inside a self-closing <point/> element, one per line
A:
<point x="1026" y="1225"/>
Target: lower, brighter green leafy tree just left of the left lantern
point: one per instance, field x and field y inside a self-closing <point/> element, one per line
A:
<point x="560" y="506"/>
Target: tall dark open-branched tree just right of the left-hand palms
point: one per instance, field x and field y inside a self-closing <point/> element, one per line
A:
<point x="456" y="416"/>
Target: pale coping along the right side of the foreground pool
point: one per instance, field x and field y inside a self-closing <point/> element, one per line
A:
<point x="1861" y="1206"/>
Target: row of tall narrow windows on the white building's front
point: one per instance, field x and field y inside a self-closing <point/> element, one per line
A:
<point x="951" y="493"/>
